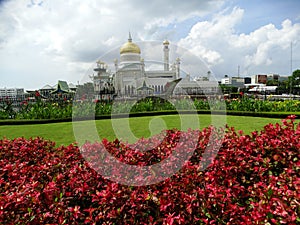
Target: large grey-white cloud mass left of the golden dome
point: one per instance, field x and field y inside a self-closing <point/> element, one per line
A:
<point x="43" y="41"/>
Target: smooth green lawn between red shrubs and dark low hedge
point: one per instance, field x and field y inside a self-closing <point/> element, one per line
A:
<point x="63" y="134"/>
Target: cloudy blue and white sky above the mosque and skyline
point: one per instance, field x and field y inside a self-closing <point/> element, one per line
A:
<point x="42" y="42"/>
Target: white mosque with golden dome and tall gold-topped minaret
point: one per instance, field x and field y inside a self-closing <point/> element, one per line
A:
<point x="130" y="78"/>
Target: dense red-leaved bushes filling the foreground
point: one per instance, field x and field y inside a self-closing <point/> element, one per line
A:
<point x="253" y="180"/>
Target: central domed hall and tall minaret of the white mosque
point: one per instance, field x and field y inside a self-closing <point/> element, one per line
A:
<point x="130" y="72"/>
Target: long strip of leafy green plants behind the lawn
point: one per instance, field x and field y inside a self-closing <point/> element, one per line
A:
<point x="66" y="109"/>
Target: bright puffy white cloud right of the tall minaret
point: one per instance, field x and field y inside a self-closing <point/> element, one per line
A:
<point x="263" y="50"/>
